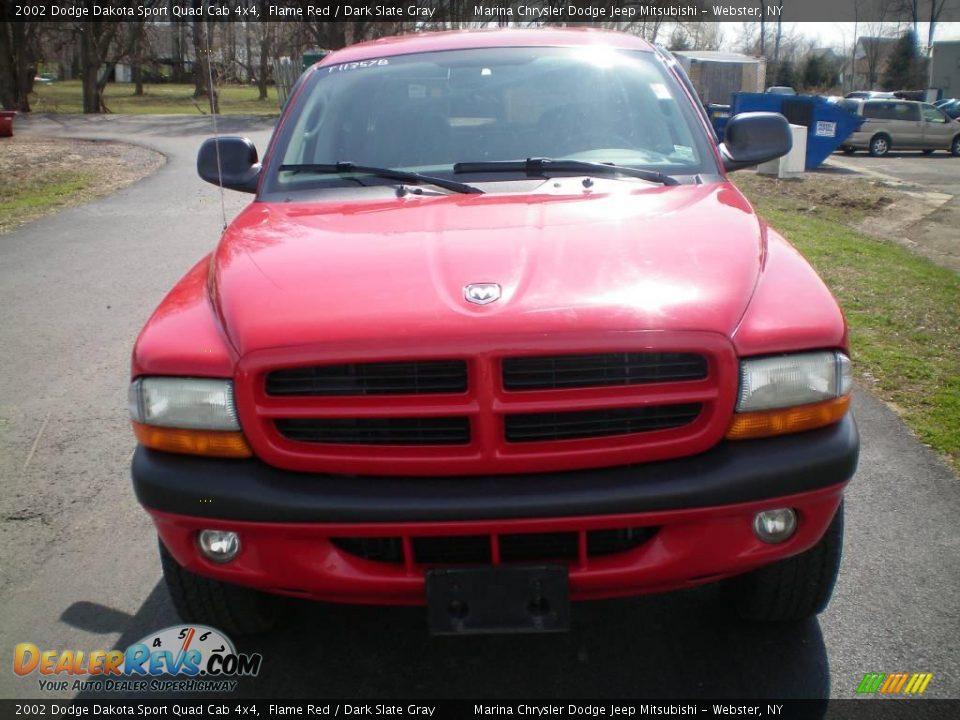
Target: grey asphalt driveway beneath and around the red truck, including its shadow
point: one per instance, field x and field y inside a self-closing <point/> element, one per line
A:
<point x="78" y="564"/>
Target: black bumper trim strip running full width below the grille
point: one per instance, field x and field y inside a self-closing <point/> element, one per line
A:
<point x="730" y="473"/>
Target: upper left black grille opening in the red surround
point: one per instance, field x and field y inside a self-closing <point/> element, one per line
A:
<point x="420" y="377"/>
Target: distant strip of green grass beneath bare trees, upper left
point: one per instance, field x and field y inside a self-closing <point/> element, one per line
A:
<point x="163" y="99"/>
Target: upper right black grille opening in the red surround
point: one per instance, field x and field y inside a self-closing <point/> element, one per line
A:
<point x="572" y="371"/>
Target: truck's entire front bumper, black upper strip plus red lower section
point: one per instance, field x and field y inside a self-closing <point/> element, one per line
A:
<point x="701" y="508"/>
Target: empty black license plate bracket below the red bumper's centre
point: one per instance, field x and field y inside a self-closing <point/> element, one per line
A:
<point x="498" y="599"/>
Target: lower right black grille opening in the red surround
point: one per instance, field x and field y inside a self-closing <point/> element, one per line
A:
<point x="536" y="427"/>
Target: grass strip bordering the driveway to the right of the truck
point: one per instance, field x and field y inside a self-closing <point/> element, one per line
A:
<point x="903" y="310"/>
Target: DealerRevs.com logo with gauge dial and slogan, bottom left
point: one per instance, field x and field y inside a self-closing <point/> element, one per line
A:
<point x="180" y="658"/>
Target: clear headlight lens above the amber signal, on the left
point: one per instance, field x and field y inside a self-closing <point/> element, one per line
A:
<point x="188" y="403"/>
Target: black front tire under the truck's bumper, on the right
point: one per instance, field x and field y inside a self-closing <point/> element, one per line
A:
<point x="793" y="589"/>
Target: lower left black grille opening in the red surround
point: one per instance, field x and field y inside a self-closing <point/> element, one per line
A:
<point x="378" y="431"/>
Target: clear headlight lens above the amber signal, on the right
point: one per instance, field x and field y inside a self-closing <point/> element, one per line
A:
<point x="788" y="380"/>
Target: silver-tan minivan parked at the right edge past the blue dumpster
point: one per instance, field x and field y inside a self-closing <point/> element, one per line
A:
<point x="893" y="124"/>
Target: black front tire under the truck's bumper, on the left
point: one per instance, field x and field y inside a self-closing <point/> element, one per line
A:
<point x="235" y="610"/>
